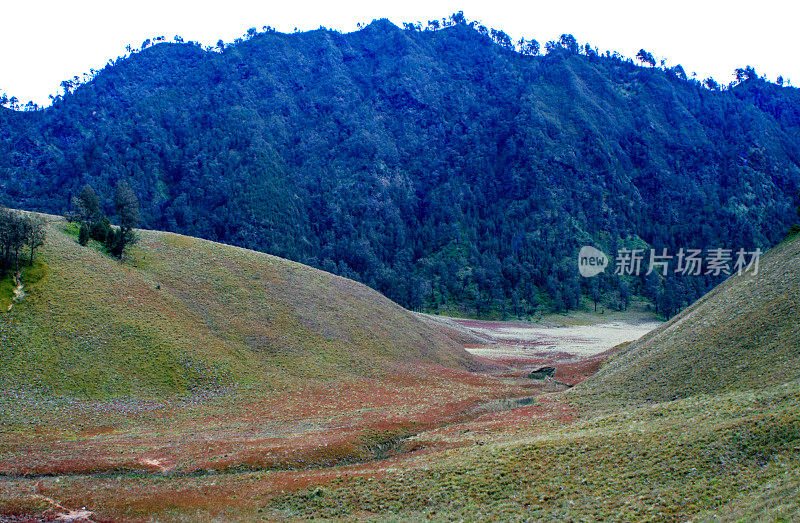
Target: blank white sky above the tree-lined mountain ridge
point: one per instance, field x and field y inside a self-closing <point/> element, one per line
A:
<point x="45" y="42"/>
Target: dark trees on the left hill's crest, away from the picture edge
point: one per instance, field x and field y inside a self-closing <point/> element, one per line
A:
<point x="94" y="224"/>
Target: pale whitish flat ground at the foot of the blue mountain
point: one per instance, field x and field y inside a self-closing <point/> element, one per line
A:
<point x="581" y="340"/>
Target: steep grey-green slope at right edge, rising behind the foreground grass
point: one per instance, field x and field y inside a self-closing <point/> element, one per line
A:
<point x="745" y="334"/>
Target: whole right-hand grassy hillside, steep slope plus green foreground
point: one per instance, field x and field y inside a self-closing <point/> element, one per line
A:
<point x="698" y="420"/>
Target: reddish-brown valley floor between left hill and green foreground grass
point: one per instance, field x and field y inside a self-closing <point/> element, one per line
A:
<point x="227" y="454"/>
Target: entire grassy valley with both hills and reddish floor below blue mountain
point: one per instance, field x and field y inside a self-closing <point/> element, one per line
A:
<point x="445" y="418"/>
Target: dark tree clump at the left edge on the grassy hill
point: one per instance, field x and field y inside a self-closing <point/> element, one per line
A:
<point x="20" y="235"/>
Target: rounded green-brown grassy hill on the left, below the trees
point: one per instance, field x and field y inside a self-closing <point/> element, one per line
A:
<point x="186" y="314"/>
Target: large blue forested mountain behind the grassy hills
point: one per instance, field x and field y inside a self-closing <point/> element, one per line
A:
<point x="438" y="167"/>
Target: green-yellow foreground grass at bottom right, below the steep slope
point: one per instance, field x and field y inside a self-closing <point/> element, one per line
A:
<point x="664" y="462"/>
